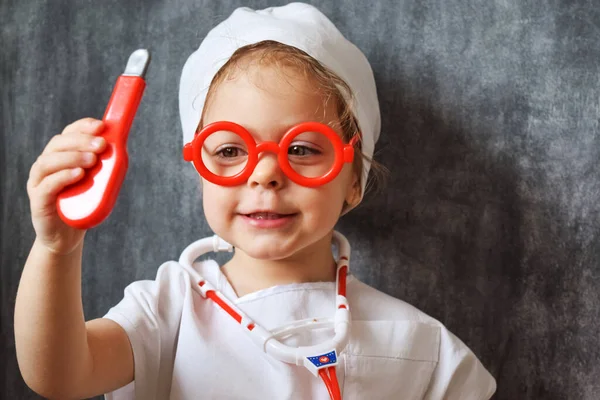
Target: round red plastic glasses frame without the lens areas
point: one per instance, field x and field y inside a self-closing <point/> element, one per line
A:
<point x="344" y="153"/>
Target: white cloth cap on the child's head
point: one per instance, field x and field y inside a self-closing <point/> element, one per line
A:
<point x="299" y="25"/>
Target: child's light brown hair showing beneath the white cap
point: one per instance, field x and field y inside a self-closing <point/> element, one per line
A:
<point x="272" y="53"/>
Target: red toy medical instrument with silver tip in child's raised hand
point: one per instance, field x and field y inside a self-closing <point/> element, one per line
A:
<point x="89" y="201"/>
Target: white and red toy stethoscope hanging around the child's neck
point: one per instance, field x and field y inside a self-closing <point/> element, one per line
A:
<point x="320" y="359"/>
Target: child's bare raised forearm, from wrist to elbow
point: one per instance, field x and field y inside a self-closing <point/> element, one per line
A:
<point x="50" y="331"/>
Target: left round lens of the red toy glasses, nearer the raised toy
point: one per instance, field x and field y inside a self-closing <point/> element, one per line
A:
<point x="224" y="153"/>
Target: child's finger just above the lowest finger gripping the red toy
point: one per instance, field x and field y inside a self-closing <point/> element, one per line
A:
<point x="51" y="163"/>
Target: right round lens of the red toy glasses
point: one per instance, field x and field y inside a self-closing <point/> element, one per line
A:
<point x="311" y="154"/>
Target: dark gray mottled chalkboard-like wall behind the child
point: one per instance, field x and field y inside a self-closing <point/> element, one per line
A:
<point x="490" y="129"/>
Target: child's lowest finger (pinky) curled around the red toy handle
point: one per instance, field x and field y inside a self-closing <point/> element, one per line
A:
<point x="44" y="195"/>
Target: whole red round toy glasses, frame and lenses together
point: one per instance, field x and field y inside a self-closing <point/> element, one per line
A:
<point x="310" y="154"/>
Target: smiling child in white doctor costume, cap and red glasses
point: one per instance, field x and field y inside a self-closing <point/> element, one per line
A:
<point x="280" y="118"/>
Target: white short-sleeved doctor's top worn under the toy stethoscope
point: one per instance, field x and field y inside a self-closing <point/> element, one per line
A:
<point x="186" y="347"/>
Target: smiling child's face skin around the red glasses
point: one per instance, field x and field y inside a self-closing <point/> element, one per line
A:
<point x="270" y="217"/>
